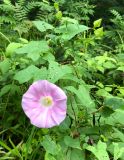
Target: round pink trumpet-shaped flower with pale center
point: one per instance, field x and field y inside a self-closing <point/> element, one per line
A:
<point x="45" y="104"/>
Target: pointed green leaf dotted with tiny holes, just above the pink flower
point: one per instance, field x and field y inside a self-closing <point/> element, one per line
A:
<point x="56" y="71"/>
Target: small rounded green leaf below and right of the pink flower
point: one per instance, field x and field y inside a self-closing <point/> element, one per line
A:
<point x="73" y="143"/>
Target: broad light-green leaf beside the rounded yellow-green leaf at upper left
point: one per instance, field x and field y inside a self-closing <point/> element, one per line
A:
<point x="34" y="49"/>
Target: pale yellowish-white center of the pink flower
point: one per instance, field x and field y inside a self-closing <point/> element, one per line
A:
<point x="46" y="101"/>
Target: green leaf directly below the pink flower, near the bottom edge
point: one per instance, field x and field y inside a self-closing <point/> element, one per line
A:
<point x="50" y="146"/>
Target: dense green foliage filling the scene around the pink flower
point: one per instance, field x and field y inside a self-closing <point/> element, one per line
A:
<point x="59" y="41"/>
